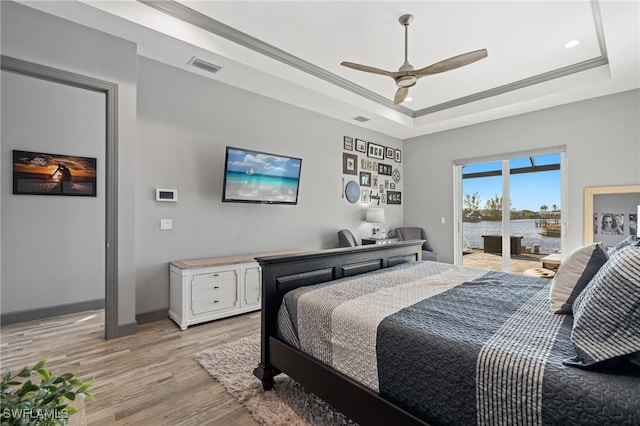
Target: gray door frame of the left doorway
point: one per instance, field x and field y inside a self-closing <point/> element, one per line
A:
<point x="110" y="90"/>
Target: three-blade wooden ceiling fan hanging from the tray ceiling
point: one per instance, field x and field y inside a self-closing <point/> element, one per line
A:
<point x="407" y="76"/>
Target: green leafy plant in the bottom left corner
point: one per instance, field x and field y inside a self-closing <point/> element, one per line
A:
<point x="23" y="402"/>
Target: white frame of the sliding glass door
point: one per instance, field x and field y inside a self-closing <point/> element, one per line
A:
<point x="458" y="243"/>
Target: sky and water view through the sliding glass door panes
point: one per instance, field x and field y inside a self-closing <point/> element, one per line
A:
<point x="535" y="193"/>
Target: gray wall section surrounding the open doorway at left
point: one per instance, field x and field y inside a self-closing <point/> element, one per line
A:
<point x="41" y="38"/>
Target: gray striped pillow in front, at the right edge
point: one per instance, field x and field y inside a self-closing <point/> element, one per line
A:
<point x="606" y="315"/>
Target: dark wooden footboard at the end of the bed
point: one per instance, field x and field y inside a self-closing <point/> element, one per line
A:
<point x="283" y="273"/>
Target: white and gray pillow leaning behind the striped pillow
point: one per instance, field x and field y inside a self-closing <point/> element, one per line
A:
<point x="574" y="274"/>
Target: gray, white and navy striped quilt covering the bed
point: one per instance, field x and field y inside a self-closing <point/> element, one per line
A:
<point x="457" y="345"/>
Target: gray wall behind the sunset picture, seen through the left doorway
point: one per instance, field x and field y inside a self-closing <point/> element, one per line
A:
<point x="53" y="247"/>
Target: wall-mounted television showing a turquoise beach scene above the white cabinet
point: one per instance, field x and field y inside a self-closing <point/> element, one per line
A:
<point x="259" y="177"/>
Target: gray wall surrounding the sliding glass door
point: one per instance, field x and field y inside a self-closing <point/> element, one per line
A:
<point x="602" y="137"/>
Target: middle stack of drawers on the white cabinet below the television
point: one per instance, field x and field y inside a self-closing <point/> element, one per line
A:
<point x="214" y="291"/>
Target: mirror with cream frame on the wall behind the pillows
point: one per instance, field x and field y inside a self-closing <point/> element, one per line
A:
<point x="604" y="201"/>
